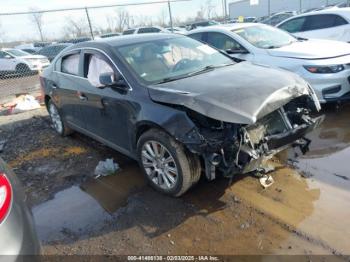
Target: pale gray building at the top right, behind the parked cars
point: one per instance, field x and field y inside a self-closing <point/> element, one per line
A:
<point x="266" y="7"/>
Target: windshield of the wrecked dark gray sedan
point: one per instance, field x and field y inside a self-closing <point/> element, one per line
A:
<point x="171" y="59"/>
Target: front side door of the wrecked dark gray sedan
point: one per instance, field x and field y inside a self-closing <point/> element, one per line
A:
<point x="107" y="111"/>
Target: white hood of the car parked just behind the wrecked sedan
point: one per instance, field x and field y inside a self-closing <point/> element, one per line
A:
<point x="312" y="49"/>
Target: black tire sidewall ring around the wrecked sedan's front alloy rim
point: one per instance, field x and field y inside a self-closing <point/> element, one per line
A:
<point x="166" y="141"/>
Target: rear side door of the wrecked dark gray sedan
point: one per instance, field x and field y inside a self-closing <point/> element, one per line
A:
<point x="66" y="86"/>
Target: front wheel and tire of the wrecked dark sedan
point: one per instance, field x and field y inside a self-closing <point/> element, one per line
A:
<point x="167" y="165"/>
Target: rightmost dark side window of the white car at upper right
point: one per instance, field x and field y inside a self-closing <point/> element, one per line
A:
<point x="316" y="22"/>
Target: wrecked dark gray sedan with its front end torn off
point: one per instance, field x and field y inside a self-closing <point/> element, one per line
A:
<point x="181" y="108"/>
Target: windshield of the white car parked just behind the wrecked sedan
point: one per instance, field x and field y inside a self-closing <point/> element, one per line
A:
<point x="266" y="37"/>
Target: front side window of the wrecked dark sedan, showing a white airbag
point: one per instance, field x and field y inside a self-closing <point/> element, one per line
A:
<point x="95" y="65"/>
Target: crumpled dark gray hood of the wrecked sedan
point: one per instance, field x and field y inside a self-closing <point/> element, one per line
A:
<point x="241" y="93"/>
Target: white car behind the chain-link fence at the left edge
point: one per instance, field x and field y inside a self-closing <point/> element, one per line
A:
<point x="20" y="62"/>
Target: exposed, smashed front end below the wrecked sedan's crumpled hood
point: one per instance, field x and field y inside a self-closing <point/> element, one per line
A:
<point x="239" y="149"/>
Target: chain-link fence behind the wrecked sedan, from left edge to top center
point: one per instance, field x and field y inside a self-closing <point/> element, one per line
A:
<point x="30" y="40"/>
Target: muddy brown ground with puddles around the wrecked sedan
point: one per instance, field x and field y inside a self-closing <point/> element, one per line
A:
<point x="306" y="210"/>
